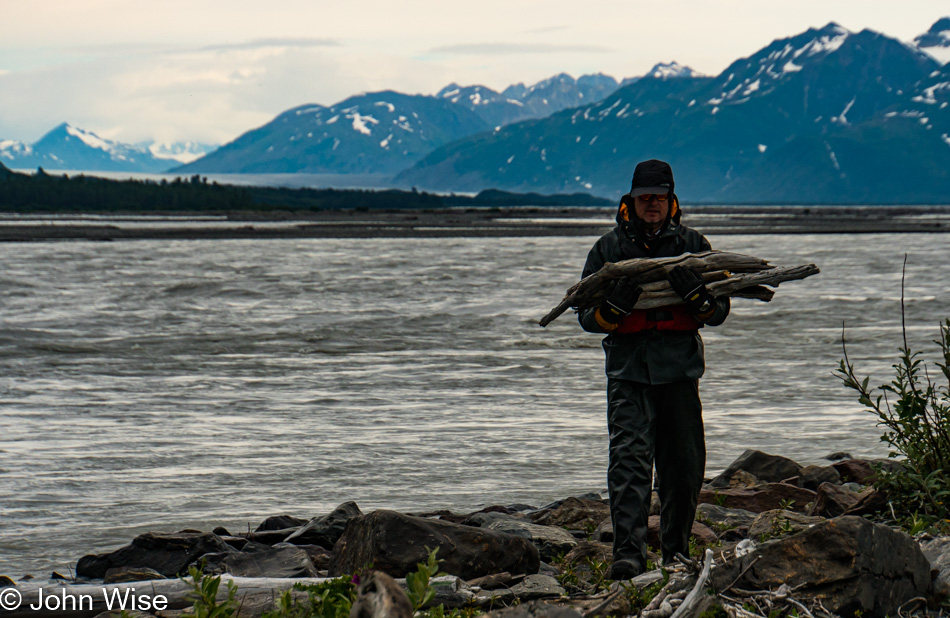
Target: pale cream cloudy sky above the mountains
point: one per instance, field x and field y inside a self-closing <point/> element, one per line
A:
<point x="209" y="70"/>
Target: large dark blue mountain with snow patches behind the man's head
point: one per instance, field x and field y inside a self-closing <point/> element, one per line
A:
<point x="825" y="116"/>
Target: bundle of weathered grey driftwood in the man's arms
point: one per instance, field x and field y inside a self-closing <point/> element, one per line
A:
<point x="725" y="274"/>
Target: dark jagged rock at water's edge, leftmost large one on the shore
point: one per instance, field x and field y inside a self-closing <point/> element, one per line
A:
<point x="168" y="553"/>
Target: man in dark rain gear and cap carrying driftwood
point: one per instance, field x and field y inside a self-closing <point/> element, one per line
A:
<point x="654" y="362"/>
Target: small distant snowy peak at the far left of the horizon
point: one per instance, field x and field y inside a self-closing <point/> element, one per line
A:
<point x="70" y="148"/>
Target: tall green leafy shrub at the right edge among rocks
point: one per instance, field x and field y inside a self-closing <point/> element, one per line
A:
<point x="916" y="426"/>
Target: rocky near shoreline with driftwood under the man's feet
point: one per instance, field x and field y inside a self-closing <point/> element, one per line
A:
<point x="775" y="536"/>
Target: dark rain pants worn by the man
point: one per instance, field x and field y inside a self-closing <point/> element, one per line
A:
<point x="647" y="423"/>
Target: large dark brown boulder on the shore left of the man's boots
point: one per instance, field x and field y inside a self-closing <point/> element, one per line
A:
<point x="395" y="543"/>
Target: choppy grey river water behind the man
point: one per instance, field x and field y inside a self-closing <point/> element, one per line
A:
<point x="161" y="385"/>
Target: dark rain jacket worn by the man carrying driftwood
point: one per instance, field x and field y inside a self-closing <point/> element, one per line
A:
<point x="650" y="356"/>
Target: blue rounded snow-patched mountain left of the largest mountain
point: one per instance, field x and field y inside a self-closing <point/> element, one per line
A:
<point x="379" y="132"/>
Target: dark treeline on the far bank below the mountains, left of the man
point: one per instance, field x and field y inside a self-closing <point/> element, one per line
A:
<point x="42" y="192"/>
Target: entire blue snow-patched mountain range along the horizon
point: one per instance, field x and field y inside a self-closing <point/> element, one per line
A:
<point x="827" y="115"/>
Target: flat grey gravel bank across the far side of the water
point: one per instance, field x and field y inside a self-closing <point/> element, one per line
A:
<point x="465" y="222"/>
